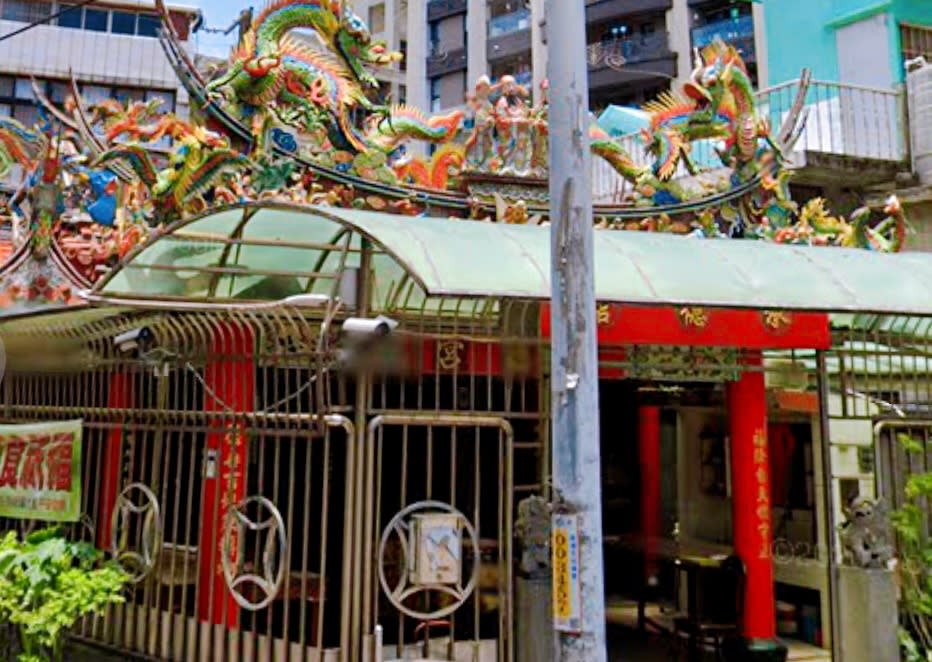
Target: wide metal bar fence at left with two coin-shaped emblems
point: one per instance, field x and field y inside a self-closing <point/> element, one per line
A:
<point x="210" y="452"/>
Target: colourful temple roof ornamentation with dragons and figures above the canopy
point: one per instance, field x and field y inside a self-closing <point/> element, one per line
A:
<point x="288" y="119"/>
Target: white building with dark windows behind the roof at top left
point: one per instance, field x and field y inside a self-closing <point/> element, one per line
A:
<point x="111" y="48"/>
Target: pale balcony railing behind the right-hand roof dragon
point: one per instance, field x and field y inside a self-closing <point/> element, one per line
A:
<point x="840" y="119"/>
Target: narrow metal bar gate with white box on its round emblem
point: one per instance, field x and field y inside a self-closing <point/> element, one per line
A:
<point x="466" y="463"/>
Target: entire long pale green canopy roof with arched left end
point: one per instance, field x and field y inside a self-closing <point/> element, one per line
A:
<point x="269" y="252"/>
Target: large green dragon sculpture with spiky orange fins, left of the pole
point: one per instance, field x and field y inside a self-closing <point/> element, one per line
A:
<point x="274" y="76"/>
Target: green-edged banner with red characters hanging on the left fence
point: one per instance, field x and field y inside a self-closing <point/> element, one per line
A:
<point x="40" y="471"/>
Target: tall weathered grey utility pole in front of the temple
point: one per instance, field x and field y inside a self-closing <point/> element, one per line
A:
<point x="578" y="592"/>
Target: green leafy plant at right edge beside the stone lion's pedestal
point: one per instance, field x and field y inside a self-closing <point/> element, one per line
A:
<point x="915" y="560"/>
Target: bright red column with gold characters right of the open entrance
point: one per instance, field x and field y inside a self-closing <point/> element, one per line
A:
<point x="751" y="506"/>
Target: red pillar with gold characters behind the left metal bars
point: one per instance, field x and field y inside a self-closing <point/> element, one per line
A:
<point x="229" y="378"/>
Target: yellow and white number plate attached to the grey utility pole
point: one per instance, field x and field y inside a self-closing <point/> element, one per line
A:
<point x="567" y="608"/>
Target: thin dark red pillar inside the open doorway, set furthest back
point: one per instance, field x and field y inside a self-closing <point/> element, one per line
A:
<point x="649" y="443"/>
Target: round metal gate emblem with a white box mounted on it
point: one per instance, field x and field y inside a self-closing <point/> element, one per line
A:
<point x="404" y="527"/>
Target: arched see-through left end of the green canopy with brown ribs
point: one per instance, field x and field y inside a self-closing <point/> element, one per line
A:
<point x="250" y="254"/>
